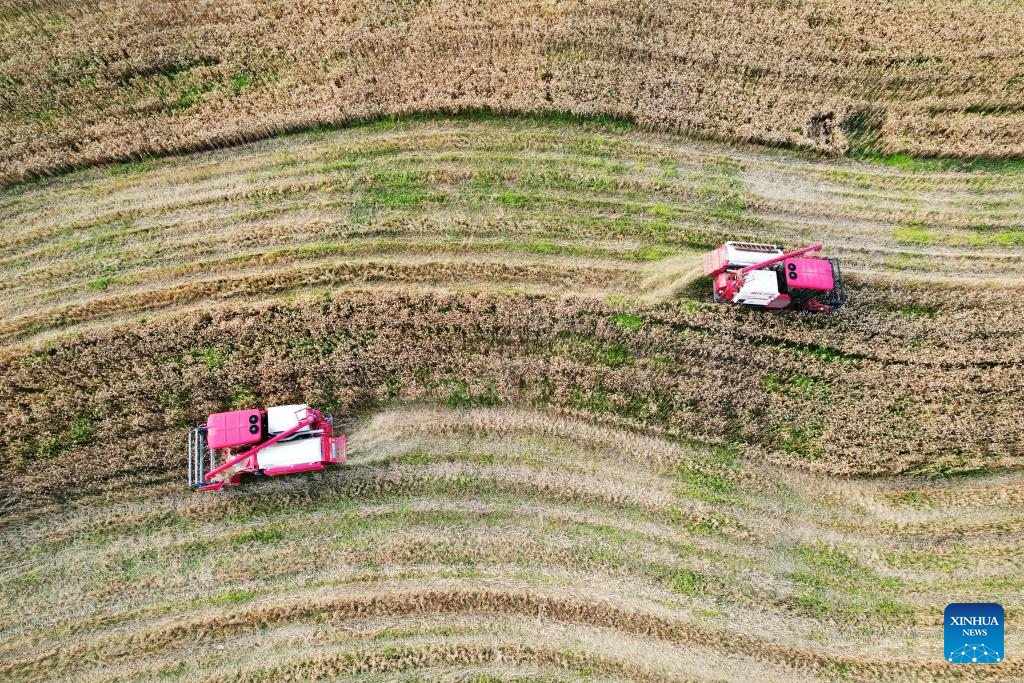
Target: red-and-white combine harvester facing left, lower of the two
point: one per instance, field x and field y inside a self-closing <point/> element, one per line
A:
<point x="283" y="440"/>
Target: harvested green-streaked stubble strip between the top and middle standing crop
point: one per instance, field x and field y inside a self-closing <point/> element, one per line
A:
<point x="566" y="207"/>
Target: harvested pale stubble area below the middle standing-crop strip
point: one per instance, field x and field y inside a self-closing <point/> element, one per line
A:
<point x="466" y="502"/>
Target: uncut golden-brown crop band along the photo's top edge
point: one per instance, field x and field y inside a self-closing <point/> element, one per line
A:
<point x="88" y="84"/>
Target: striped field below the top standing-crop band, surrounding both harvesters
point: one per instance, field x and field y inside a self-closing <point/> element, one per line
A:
<point x="566" y="464"/>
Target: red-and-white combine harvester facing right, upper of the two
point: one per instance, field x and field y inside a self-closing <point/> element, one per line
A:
<point x="766" y="276"/>
